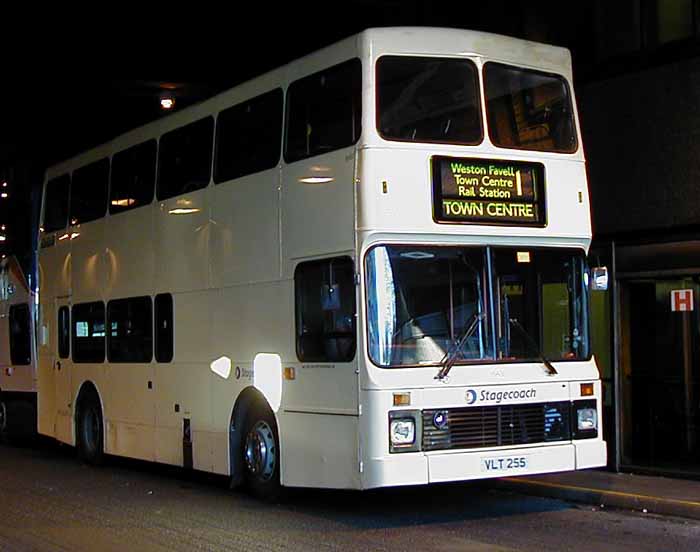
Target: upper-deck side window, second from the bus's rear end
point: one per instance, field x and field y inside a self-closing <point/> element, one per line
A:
<point x="88" y="197"/>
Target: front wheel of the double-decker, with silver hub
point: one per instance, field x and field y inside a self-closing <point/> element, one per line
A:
<point x="261" y="454"/>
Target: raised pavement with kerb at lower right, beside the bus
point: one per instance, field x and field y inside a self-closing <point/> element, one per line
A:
<point x="647" y="494"/>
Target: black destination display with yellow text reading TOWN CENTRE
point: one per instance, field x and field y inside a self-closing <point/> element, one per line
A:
<point x="487" y="191"/>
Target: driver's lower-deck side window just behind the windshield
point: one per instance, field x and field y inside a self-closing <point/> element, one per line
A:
<point x="325" y="310"/>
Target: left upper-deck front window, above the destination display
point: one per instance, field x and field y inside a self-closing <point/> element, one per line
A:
<point x="422" y="99"/>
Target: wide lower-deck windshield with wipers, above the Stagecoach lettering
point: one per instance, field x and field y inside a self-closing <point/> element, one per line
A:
<point x="522" y="303"/>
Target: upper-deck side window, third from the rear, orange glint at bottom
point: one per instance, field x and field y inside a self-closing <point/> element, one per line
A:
<point x="133" y="177"/>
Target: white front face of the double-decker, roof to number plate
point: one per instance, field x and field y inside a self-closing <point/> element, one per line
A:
<point x="473" y="227"/>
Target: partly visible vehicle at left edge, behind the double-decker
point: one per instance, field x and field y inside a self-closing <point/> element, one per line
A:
<point x="18" y="376"/>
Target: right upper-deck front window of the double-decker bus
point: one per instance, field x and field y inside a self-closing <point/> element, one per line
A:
<point x="528" y="109"/>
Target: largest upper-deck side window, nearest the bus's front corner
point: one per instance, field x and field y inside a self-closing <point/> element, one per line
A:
<point x="324" y="111"/>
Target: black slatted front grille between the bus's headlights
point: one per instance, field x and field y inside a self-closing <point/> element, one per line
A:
<point x="492" y="426"/>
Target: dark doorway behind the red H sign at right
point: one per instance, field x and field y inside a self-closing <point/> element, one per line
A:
<point x="659" y="376"/>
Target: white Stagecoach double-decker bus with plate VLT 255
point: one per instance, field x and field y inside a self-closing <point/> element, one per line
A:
<point x="366" y="268"/>
